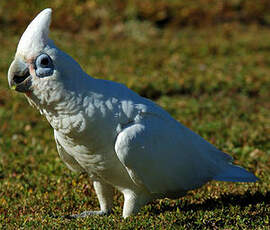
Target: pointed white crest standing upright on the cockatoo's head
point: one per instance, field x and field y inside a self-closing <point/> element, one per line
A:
<point x="35" y="37"/>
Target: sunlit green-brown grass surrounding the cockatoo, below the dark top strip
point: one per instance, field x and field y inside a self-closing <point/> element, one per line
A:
<point x="214" y="80"/>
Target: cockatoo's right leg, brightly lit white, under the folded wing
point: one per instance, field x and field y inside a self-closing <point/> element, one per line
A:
<point x="133" y="202"/>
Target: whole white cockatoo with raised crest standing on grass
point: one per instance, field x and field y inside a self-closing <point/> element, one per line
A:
<point x="120" y="139"/>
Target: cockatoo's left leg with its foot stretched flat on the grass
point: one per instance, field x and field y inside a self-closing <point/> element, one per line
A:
<point x="105" y="197"/>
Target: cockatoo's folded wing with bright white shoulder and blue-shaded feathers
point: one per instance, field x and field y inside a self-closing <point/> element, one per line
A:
<point x="167" y="157"/>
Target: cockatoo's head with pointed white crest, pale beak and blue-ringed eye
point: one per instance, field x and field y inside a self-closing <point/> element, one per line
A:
<point x="39" y="67"/>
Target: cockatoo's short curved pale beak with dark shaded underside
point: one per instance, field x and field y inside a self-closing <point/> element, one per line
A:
<point x="19" y="77"/>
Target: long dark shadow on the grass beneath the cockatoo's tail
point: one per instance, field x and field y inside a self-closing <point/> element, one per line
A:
<point x="222" y="202"/>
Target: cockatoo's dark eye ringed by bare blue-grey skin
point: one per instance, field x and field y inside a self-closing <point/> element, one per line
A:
<point x="44" y="65"/>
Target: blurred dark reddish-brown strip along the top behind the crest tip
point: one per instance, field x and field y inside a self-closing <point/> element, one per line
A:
<point x="91" y="15"/>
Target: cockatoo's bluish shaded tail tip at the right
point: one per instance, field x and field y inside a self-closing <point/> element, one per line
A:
<point x="235" y="173"/>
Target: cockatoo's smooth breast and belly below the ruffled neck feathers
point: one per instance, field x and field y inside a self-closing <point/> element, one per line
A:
<point x="99" y="162"/>
